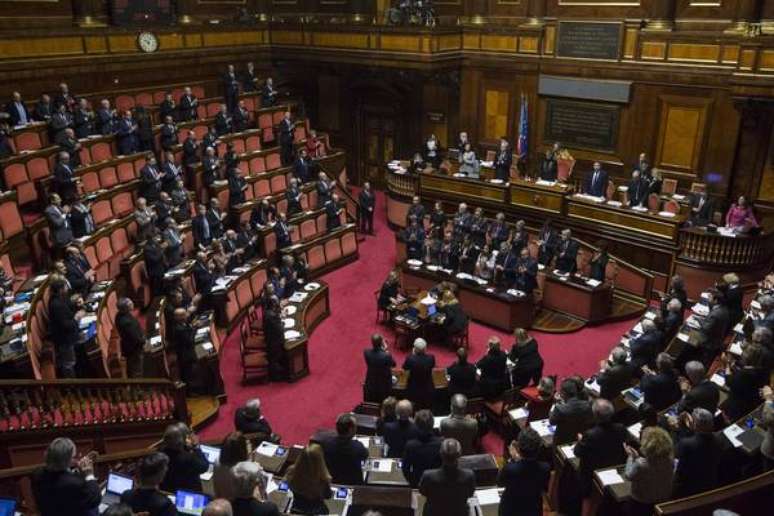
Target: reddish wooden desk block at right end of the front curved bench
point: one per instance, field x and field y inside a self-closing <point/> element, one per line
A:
<point x="572" y="297"/>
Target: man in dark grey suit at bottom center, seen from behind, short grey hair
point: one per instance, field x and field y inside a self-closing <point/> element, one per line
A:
<point x="447" y="488"/>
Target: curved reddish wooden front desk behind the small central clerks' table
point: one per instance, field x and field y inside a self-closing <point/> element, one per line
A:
<point x="496" y="309"/>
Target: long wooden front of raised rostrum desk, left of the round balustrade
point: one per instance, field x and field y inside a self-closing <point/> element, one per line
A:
<point x="648" y="223"/>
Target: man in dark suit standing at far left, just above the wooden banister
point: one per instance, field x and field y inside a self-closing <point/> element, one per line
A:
<point x="63" y="325"/>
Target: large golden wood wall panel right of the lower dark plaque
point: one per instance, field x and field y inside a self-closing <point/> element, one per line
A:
<point x="681" y="133"/>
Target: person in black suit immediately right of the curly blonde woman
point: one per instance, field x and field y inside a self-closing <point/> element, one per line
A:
<point x="698" y="456"/>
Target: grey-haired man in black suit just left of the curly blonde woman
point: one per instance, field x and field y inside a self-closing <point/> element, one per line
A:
<point x="601" y="446"/>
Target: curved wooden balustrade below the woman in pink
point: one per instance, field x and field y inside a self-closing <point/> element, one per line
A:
<point x="698" y="245"/>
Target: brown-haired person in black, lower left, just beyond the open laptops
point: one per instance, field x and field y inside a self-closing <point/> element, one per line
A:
<point x="186" y="460"/>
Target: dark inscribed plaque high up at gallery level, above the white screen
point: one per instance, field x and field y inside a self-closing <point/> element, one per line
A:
<point x="589" y="40"/>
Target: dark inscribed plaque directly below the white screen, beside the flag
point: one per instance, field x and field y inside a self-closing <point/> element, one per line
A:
<point x="585" y="125"/>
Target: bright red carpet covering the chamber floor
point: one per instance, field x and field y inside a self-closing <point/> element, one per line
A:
<point x="296" y="410"/>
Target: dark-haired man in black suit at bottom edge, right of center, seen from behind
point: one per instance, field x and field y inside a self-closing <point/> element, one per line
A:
<point x="524" y="477"/>
